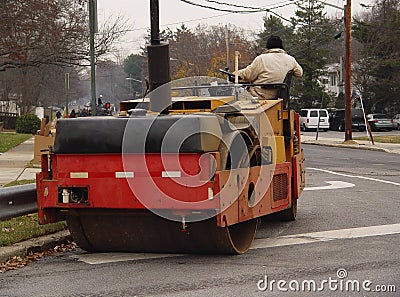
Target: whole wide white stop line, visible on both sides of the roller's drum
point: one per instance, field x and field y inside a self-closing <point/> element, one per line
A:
<point x="322" y="236"/>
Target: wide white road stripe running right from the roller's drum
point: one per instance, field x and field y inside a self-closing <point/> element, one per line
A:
<point x="326" y="236"/>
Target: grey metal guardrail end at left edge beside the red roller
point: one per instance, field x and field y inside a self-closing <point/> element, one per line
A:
<point x="17" y="201"/>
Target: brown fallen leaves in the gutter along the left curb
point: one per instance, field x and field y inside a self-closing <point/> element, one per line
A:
<point x="18" y="262"/>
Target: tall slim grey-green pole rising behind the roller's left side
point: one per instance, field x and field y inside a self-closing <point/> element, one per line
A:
<point x="93" y="30"/>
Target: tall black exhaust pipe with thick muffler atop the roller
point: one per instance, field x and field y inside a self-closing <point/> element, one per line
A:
<point x="158" y="63"/>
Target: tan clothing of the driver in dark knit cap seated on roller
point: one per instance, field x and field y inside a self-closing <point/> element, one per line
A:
<point x="269" y="67"/>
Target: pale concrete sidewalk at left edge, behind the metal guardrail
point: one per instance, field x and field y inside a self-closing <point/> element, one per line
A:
<point x="13" y="162"/>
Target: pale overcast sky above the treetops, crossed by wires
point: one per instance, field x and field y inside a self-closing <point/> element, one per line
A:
<point x="175" y="12"/>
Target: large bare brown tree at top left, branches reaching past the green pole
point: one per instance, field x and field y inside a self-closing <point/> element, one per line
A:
<point x="41" y="40"/>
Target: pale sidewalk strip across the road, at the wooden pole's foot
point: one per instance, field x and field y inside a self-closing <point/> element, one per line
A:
<point x="358" y="144"/>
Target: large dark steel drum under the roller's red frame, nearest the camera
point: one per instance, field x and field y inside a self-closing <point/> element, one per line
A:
<point x="143" y="231"/>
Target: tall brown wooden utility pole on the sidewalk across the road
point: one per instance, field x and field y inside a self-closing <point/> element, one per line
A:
<point x="347" y="83"/>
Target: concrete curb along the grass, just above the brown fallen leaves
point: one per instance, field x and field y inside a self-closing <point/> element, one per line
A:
<point x="34" y="245"/>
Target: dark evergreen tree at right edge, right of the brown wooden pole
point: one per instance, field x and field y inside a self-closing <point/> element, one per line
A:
<point x="378" y="73"/>
